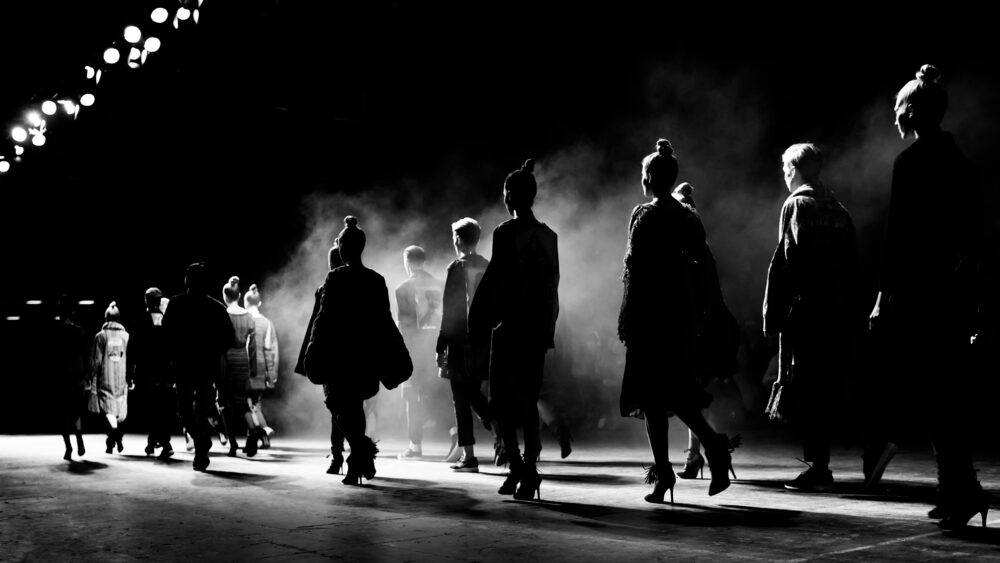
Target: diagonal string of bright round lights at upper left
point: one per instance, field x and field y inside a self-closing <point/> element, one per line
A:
<point x="130" y="51"/>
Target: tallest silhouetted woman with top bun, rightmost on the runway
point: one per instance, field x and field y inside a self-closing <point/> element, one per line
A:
<point x="928" y="292"/>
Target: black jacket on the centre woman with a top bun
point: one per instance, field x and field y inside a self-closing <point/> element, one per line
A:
<point x="519" y="293"/>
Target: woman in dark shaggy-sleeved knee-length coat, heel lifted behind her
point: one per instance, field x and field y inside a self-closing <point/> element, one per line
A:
<point x="663" y="303"/>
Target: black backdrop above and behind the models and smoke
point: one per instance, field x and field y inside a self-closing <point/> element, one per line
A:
<point x="209" y="150"/>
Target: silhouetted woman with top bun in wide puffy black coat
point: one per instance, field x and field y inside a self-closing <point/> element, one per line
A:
<point x="344" y="346"/>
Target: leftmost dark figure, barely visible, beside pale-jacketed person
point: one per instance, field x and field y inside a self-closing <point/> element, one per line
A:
<point x="69" y="372"/>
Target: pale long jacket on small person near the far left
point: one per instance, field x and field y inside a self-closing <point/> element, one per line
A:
<point x="108" y="363"/>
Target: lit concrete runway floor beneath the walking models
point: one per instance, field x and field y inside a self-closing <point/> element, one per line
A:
<point x="282" y="506"/>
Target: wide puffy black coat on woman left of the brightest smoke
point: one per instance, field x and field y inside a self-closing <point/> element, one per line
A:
<point x="348" y="338"/>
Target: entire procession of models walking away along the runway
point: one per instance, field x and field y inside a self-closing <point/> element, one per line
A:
<point x="488" y="326"/>
